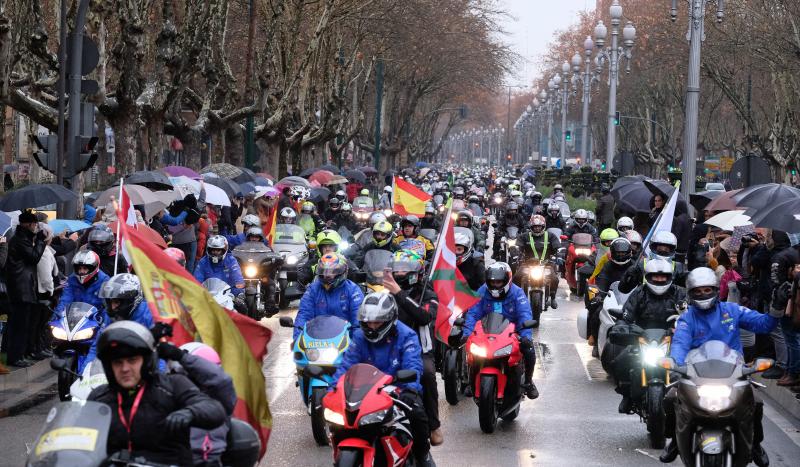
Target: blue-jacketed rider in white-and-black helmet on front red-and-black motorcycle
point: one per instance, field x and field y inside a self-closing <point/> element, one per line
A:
<point x="389" y="345"/>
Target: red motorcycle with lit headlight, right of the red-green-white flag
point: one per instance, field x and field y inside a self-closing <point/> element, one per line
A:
<point x="496" y="369"/>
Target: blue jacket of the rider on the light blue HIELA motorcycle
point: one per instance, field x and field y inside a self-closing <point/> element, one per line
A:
<point x="342" y="302"/>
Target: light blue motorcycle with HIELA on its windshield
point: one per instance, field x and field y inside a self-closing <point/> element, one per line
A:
<point x="322" y="343"/>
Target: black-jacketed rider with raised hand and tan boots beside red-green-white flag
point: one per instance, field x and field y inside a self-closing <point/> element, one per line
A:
<point x="417" y="304"/>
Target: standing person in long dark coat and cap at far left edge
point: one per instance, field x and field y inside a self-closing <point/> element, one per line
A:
<point x="25" y="249"/>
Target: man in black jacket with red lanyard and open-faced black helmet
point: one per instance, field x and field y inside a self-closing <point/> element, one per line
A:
<point x="151" y="412"/>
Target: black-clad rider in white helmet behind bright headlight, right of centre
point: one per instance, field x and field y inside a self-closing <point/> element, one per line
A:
<point x="648" y="306"/>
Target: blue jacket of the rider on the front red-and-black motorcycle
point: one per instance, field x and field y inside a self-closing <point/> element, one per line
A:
<point x="399" y="350"/>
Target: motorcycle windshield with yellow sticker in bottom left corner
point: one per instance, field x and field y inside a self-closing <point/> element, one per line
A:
<point x="74" y="433"/>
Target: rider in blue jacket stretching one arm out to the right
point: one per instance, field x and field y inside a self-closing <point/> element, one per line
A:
<point x="709" y="319"/>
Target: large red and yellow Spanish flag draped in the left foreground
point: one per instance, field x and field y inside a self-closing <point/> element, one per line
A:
<point x="175" y="297"/>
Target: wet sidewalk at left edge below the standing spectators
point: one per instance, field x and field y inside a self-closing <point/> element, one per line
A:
<point x="23" y="387"/>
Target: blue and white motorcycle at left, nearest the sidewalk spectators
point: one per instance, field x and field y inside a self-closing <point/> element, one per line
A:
<point x="73" y="335"/>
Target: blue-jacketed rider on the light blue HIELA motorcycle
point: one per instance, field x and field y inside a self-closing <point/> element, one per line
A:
<point x="331" y="294"/>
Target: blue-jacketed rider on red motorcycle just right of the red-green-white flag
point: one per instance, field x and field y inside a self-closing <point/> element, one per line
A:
<point x="501" y="295"/>
